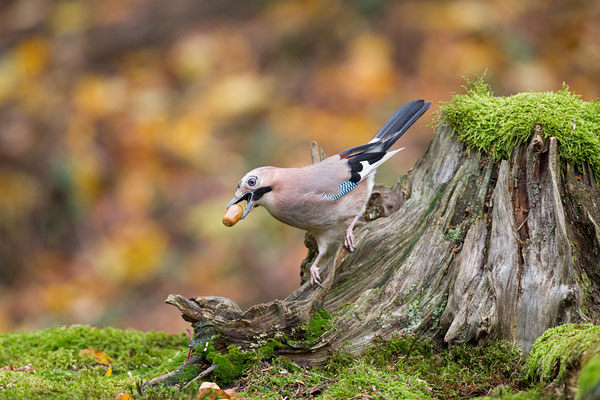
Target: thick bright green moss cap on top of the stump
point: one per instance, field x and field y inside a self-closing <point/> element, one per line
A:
<point x="496" y="125"/>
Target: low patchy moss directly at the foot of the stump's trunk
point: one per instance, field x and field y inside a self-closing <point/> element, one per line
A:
<point x="407" y="367"/>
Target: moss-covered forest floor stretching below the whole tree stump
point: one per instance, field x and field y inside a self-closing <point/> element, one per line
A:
<point x="403" y="367"/>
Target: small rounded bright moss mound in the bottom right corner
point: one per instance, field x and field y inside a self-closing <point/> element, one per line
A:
<point x="561" y="350"/>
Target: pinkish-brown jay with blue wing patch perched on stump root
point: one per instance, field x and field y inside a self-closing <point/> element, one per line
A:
<point x="327" y="198"/>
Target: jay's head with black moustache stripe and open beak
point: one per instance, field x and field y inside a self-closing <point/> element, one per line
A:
<point x="253" y="188"/>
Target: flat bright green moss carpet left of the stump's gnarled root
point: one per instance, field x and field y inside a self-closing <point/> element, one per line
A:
<point x="60" y="373"/>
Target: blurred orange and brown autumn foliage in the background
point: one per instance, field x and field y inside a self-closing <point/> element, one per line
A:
<point x="126" y="124"/>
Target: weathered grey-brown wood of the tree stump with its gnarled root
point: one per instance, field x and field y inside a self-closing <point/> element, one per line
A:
<point x="462" y="249"/>
